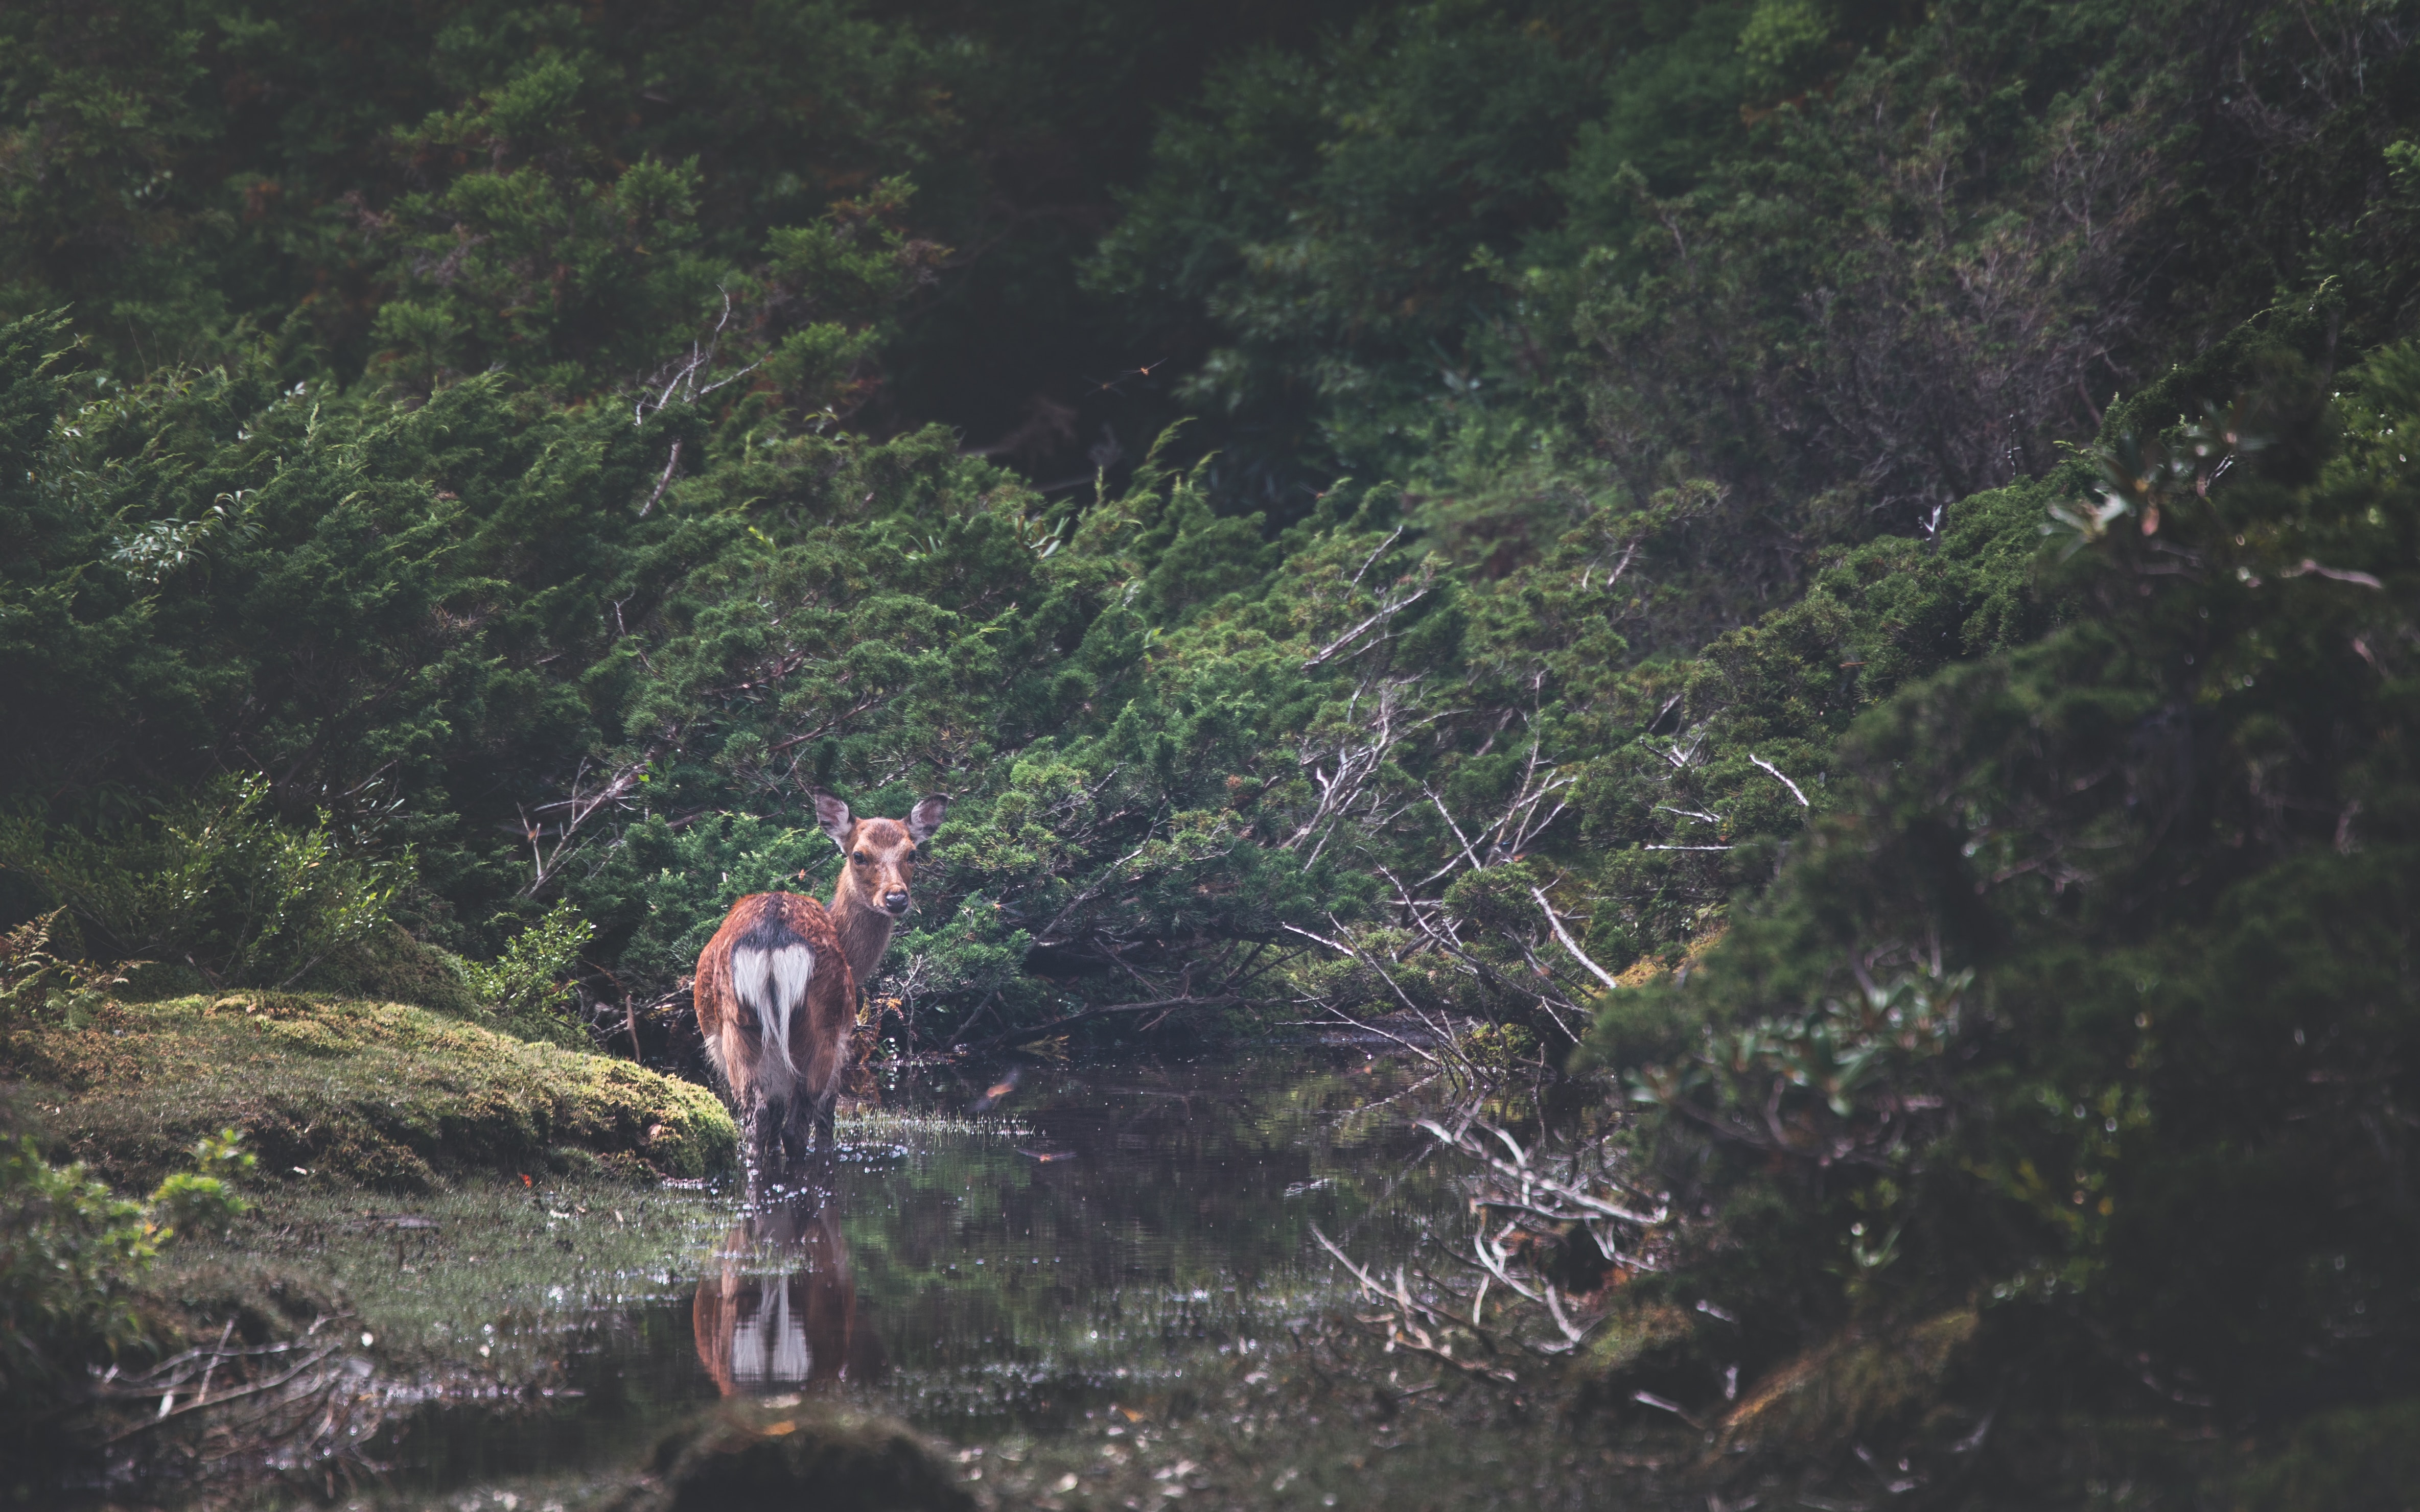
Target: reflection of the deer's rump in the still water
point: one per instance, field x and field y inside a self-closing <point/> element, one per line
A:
<point x="780" y="1315"/>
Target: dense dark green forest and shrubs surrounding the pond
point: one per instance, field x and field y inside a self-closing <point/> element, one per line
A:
<point x="1884" y="529"/>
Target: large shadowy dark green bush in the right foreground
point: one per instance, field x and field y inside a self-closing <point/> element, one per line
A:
<point x="2104" y="959"/>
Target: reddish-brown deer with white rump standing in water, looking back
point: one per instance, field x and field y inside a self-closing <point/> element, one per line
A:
<point x="776" y="988"/>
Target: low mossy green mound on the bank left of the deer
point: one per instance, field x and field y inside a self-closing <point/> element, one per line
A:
<point x="352" y="1092"/>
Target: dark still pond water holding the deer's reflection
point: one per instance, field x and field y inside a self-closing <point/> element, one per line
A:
<point x="1097" y="1245"/>
